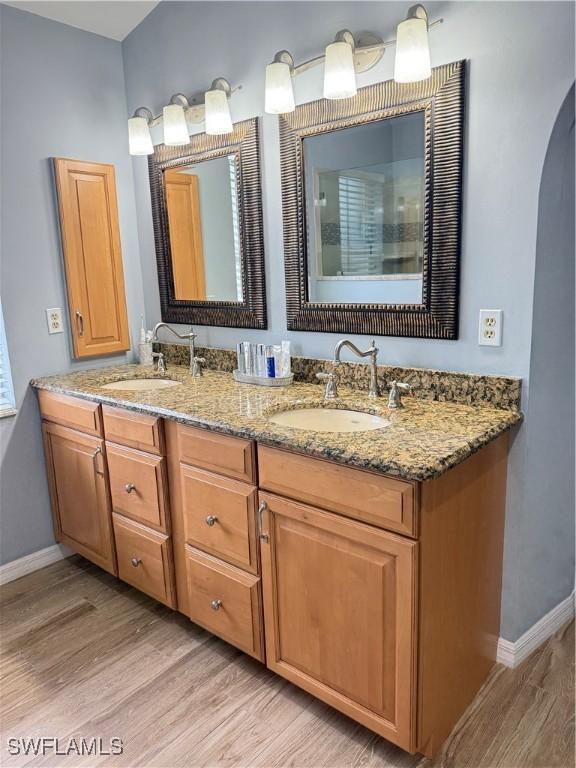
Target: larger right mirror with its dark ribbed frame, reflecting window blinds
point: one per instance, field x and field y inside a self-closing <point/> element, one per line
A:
<point x="371" y="192"/>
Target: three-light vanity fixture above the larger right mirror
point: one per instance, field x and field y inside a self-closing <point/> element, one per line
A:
<point x="346" y="56"/>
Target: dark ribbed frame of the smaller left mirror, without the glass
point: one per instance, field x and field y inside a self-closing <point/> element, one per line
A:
<point x="243" y="142"/>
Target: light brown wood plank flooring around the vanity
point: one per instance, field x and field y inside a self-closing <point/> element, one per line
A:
<point x="84" y="655"/>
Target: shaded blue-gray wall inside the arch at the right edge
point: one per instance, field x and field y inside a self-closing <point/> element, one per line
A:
<point x="540" y="543"/>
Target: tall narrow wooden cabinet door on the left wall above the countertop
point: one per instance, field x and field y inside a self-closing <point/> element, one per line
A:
<point x="92" y="257"/>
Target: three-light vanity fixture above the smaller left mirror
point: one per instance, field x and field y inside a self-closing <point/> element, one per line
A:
<point x="215" y="111"/>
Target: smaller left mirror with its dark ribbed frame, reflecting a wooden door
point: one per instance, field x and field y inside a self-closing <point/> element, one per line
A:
<point x="207" y="214"/>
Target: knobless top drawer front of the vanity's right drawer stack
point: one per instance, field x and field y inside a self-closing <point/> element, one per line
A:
<point x="229" y="456"/>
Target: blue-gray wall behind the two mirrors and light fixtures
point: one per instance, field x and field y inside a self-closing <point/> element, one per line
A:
<point x="521" y="67"/>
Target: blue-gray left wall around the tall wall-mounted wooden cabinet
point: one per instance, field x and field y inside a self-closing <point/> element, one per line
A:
<point x="62" y="94"/>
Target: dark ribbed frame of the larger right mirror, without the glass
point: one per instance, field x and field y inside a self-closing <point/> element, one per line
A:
<point x="441" y="98"/>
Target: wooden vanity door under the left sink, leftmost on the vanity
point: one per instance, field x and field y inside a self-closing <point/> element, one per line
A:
<point x="79" y="493"/>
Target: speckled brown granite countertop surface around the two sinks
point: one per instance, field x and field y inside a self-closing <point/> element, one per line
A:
<point x="423" y="439"/>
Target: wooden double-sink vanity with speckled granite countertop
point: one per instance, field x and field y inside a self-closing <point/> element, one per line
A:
<point x="364" y="567"/>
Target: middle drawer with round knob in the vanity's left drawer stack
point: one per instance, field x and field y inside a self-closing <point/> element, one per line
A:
<point x="138" y="486"/>
